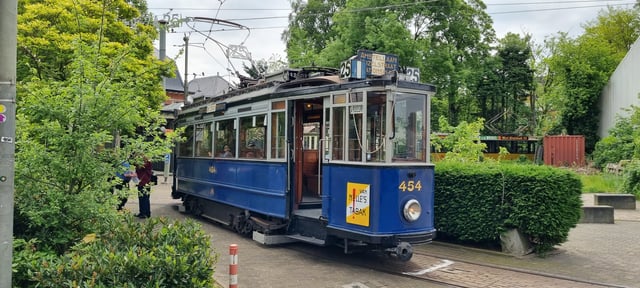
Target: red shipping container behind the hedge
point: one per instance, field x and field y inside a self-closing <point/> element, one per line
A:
<point x="564" y="150"/>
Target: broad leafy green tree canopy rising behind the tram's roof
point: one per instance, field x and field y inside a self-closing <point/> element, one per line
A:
<point x="447" y="40"/>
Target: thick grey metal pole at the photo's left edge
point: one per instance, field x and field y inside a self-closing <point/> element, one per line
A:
<point x="8" y="58"/>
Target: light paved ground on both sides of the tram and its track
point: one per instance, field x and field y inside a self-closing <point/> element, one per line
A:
<point x="600" y="253"/>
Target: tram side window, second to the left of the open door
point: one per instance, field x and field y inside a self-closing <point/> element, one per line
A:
<point x="252" y="136"/>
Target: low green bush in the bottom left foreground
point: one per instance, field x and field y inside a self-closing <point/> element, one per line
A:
<point x="153" y="253"/>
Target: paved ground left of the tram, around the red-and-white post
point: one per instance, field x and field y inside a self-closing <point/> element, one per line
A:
<point x="277" y="267"/>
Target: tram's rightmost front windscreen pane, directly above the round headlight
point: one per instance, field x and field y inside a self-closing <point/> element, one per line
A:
<point x="409" y="128"/>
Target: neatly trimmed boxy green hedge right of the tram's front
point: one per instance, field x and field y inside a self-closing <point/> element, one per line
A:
<point x="475" y="203"/>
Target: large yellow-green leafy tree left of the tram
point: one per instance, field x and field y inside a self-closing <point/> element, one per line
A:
<point x="84" y="78"/>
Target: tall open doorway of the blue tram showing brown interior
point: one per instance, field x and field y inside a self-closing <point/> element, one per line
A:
<point x="307" y="172"/>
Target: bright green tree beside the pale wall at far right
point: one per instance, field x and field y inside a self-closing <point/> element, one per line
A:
<point x="580" y="68"/>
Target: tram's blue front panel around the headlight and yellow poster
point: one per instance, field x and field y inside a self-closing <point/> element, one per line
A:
<point x="386" y="197"/>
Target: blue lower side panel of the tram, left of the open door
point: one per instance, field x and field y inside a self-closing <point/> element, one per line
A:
<point x="257" y="186"/>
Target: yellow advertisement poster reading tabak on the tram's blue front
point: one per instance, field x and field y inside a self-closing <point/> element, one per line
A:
<point x="358" y="203"/>
